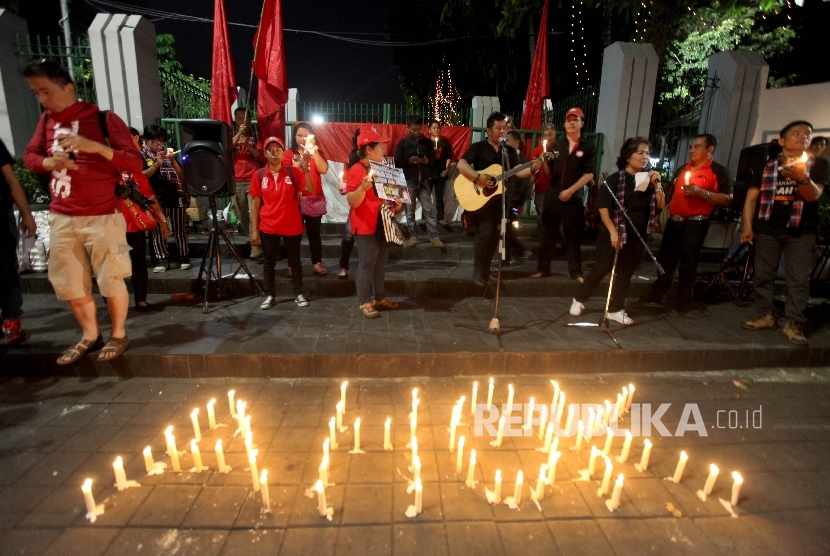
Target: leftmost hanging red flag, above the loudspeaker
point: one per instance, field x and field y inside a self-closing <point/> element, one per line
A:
<point x="223" y="78"/>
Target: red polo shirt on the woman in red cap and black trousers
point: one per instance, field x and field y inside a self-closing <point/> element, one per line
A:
<point x="279" y="212"/>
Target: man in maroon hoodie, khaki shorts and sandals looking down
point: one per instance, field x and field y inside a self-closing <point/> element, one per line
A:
<point x="87" y="230"/>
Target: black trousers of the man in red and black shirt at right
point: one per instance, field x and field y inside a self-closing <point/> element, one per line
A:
<point x="681" y="245"/>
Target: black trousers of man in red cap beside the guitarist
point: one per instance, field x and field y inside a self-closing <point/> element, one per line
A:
<point x="571" y="216"/>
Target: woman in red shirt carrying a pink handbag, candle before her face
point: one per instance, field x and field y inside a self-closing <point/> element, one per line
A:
<point x="316" y="164"/>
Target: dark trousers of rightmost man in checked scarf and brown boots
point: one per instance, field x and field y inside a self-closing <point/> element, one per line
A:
<point x="798" y="257"/>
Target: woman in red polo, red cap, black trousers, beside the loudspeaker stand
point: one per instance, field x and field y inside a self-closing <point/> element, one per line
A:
<point x="275" y="215"/>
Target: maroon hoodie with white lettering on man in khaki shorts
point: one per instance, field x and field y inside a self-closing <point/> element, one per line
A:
<point x="89" y="190"/>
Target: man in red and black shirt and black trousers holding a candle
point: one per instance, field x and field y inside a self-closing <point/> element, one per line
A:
<point x="699" y="186"/>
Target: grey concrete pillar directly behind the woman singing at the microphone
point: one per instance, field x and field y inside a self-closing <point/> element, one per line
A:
<point x="629" y="77"/>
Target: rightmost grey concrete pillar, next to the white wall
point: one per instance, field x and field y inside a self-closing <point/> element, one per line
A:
<point x="730" y="109"/>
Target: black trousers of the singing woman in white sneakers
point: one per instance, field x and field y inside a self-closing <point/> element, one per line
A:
<point x="630" y="257"/>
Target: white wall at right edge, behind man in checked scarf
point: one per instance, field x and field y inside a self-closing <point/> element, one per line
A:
<point x="781" y="106"/>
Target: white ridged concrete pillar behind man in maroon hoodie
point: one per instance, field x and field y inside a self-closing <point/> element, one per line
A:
<point x="125" y="64"/>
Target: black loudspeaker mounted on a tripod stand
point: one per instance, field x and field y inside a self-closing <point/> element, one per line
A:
<point x="207" y="157"/>
